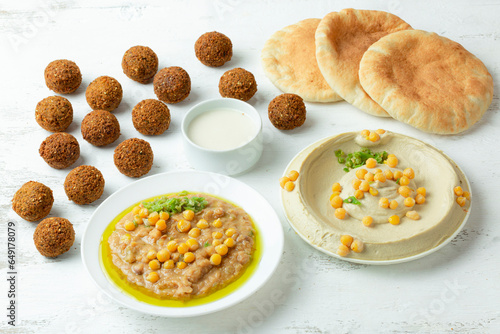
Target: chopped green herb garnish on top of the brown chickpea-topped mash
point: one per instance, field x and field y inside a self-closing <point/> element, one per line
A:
<point x="174" y="205"/>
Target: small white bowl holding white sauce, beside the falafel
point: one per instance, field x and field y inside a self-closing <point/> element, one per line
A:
<point x="228" y="162"/>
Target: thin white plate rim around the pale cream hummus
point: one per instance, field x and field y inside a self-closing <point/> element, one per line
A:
<point x="380" y="262"/>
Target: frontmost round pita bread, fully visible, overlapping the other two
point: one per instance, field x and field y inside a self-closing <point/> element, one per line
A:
<point x="427" y="81"/>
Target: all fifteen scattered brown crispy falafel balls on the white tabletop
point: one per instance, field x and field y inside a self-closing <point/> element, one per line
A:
<point x="133" y="157"/>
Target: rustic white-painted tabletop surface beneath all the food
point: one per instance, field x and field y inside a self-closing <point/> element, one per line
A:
<point x="455" y="290"/>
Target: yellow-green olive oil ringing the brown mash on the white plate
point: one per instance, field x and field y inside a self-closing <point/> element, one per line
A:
<point x="115" y="275"/>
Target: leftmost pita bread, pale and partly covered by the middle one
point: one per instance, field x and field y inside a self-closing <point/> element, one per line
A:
<point x="289" y="61"/>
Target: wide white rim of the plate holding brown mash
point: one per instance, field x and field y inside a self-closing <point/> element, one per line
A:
<point x="271" y="254"/>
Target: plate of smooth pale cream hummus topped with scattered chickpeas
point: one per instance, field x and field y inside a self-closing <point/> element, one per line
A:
<point x="375" y="197"/>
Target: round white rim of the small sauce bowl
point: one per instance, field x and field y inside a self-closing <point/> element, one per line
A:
<point x="231" y="101"/>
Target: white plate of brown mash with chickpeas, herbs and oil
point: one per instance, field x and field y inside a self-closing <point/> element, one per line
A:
<point x="182" y="244"/>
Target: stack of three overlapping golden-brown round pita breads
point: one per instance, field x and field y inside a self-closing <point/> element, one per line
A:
<point x="378" y="63"/>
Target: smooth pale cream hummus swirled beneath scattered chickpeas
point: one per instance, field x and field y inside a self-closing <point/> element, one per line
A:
<point x="308" y="209"/>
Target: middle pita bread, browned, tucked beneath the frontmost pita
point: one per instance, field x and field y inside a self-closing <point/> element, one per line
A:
<point x="341" y="40"/>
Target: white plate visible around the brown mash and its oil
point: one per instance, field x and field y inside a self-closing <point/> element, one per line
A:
<point x="263" y="215"/>
